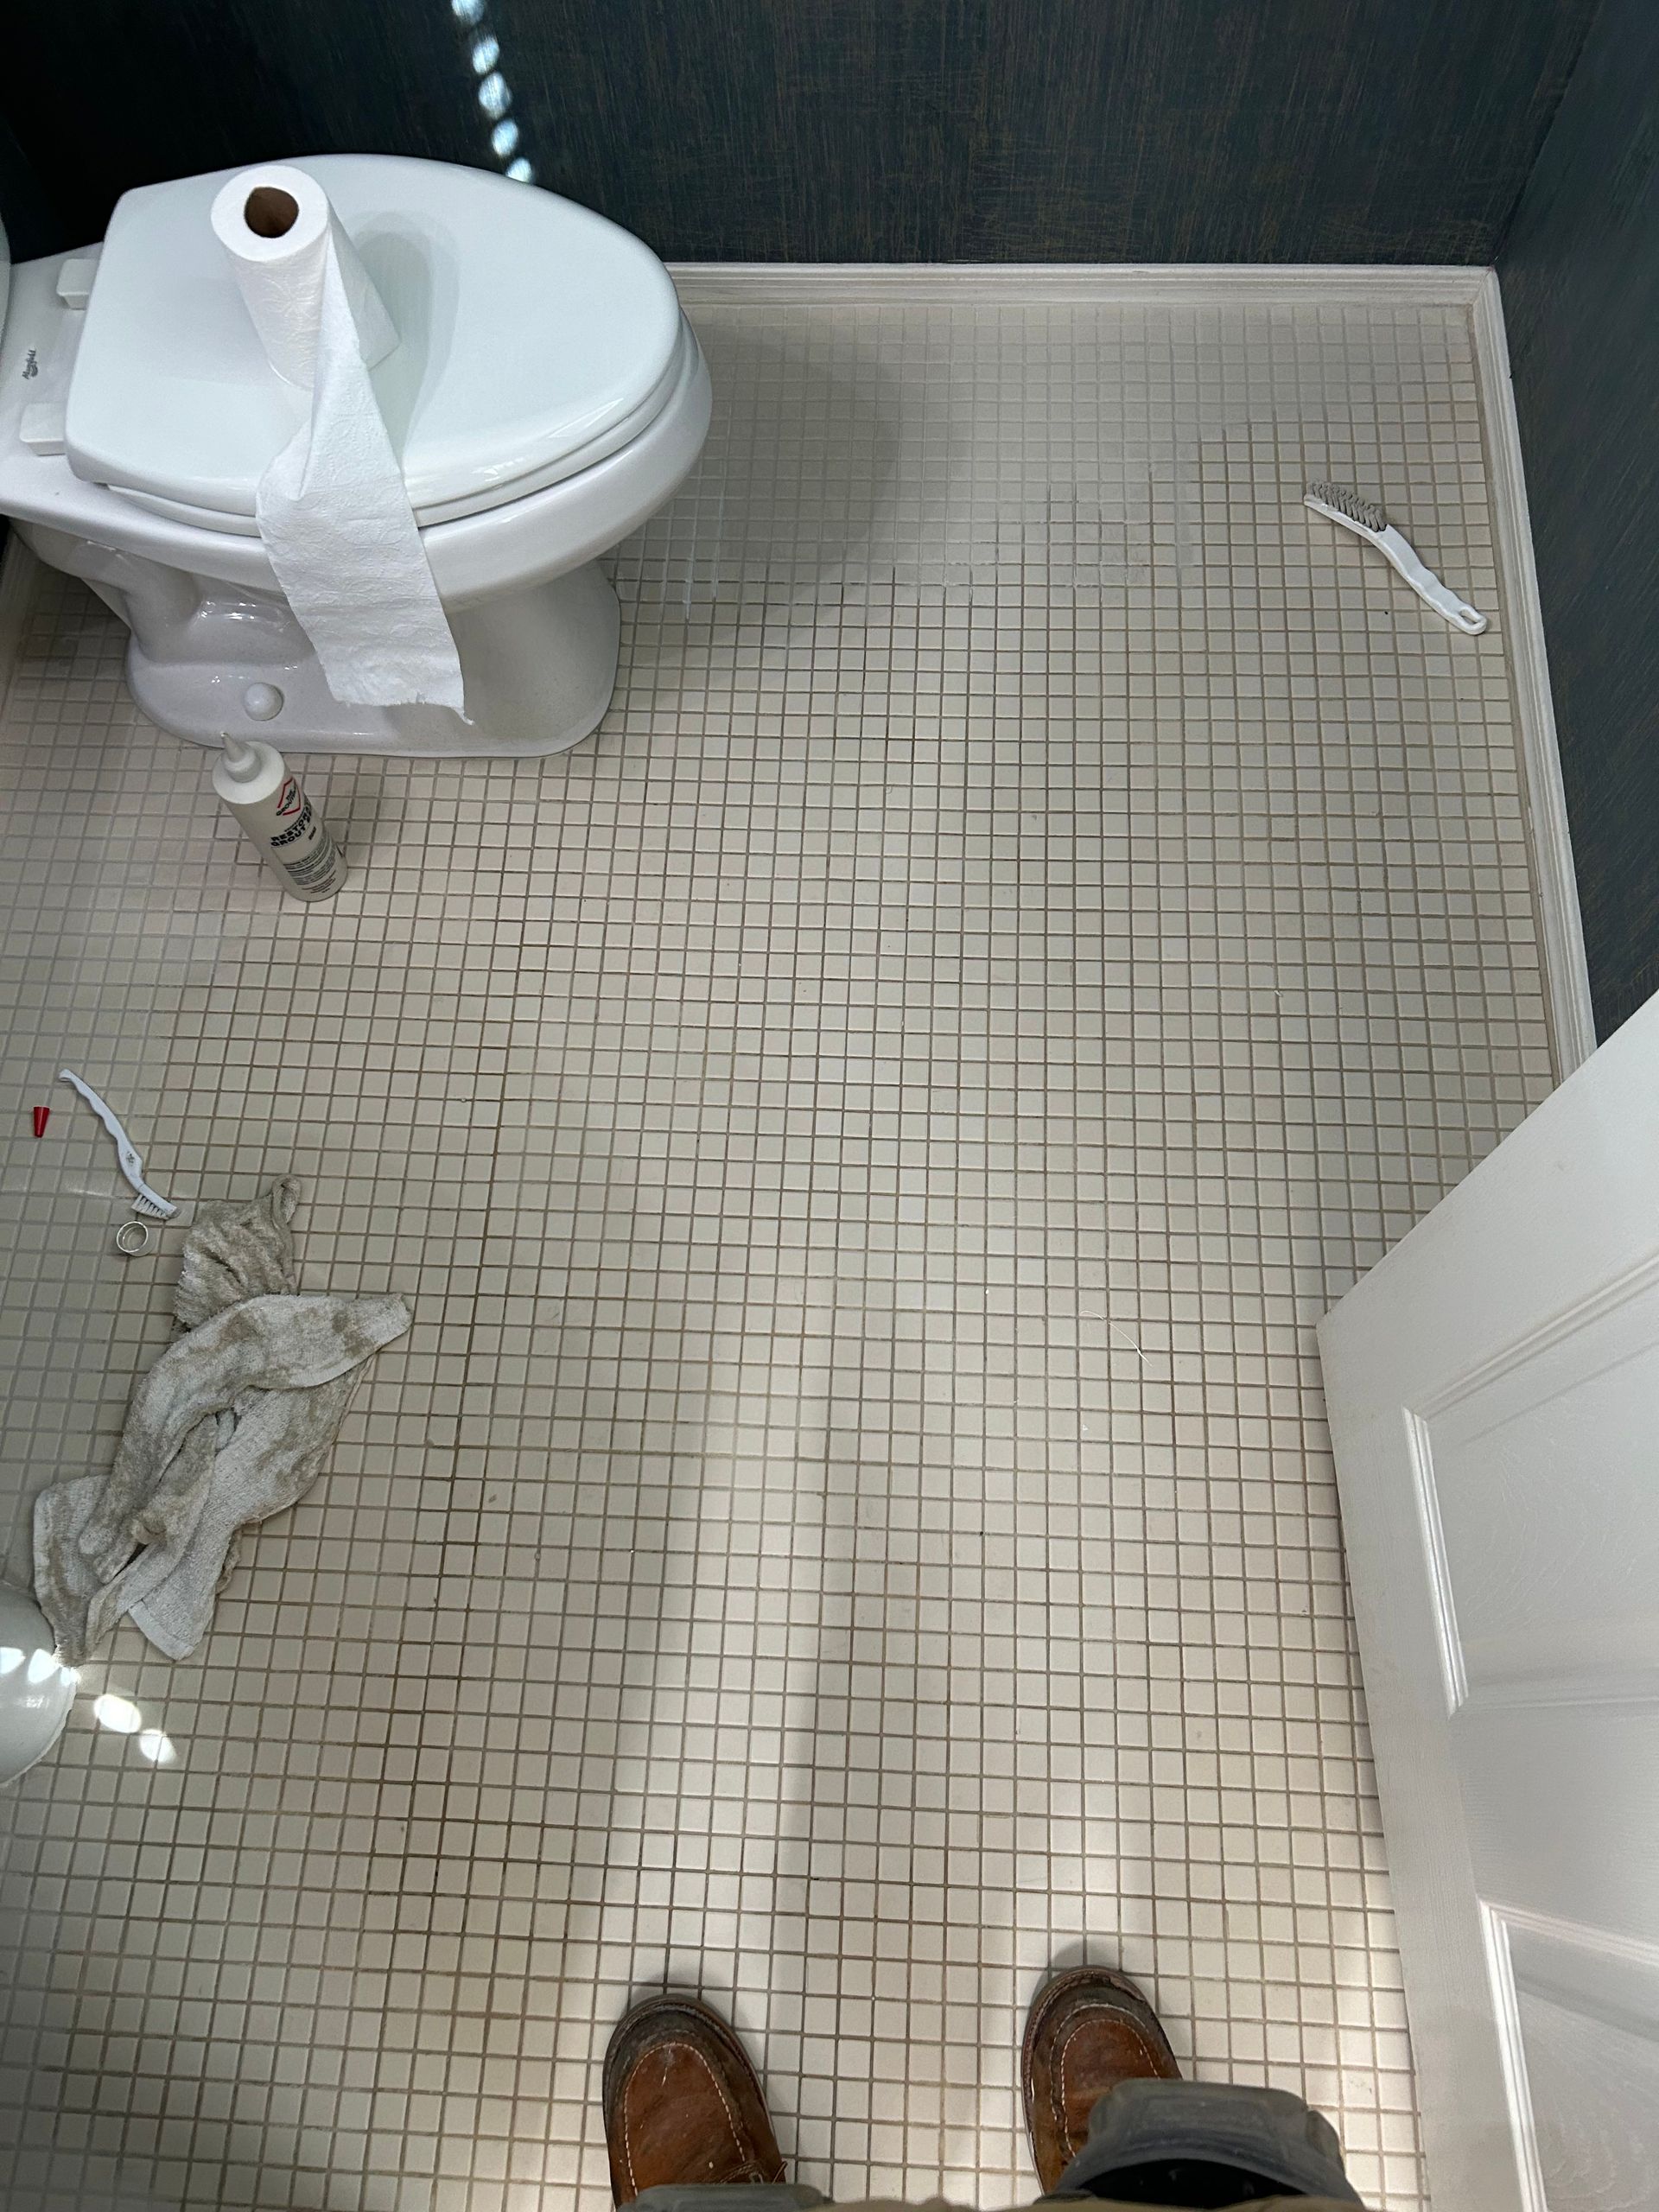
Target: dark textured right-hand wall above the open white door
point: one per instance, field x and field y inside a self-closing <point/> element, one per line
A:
<point x="1580" y="275"/>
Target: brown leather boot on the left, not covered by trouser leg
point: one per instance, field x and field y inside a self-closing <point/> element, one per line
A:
<point x="682" y="2103"/>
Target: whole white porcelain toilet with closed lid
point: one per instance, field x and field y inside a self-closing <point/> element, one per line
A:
<point x="545" y="399"/>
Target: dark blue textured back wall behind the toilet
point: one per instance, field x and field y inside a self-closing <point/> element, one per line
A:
<point x="853" y="129"/>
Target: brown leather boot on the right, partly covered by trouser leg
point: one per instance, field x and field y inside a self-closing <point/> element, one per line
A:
<point x="1089" y="2030"/>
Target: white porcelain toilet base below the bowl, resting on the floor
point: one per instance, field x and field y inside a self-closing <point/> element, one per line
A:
<point x="539" y="667"/>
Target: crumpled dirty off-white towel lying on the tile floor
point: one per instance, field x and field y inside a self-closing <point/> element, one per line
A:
<point x="231" y="1426"/>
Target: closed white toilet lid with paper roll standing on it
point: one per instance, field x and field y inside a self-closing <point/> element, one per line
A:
<point x="536" y="340"/>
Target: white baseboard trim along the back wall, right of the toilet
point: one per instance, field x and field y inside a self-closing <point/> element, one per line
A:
<point x="1198" y="284"/>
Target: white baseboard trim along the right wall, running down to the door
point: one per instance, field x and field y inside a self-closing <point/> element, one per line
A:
<point x="1567" y="979"/>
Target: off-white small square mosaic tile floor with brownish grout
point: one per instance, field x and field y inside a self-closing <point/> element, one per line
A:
<point x="866" y="1145"/>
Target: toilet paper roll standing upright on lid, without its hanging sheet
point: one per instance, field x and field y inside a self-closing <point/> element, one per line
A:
<point x="278" y="225"/>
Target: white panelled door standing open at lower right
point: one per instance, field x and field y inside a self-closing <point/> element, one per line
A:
<point x="1494" y="1401"/>
